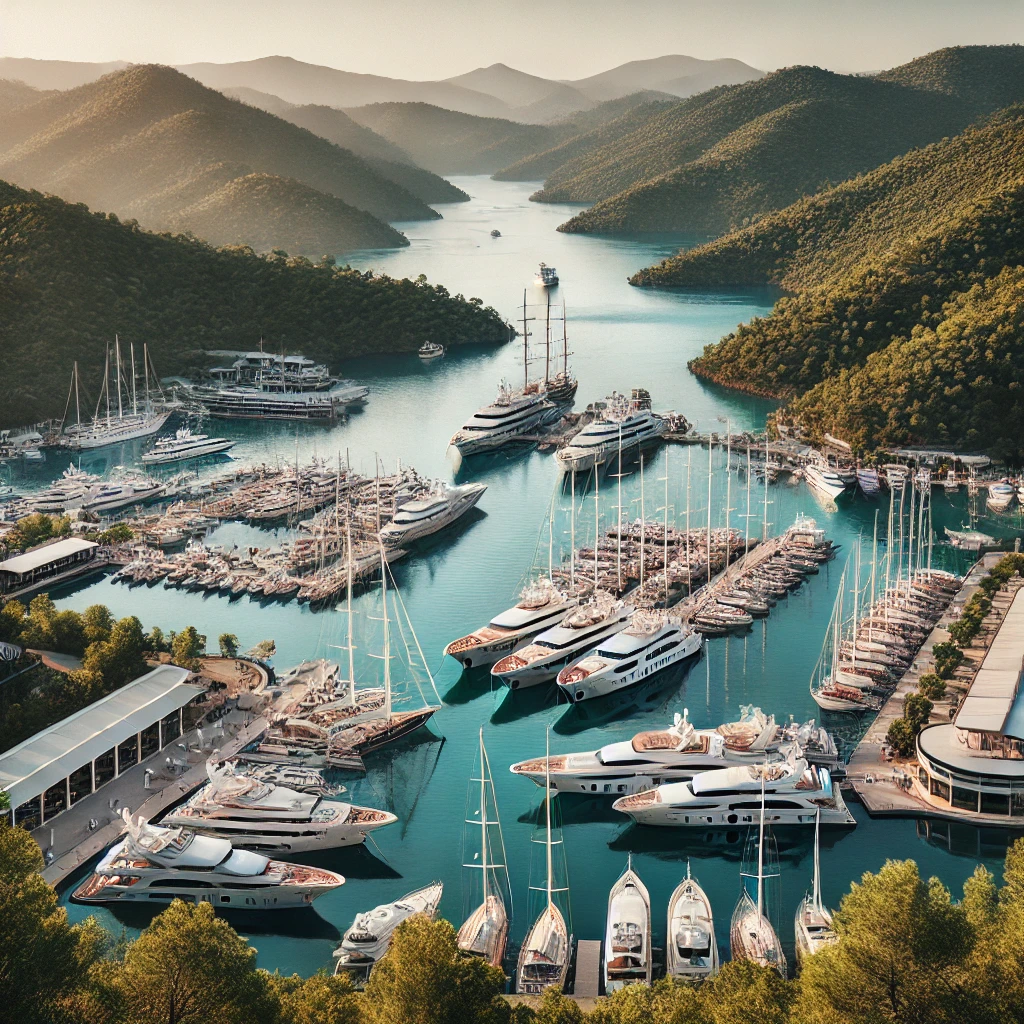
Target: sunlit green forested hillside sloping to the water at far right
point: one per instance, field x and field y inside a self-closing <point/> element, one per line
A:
<point x="878" y="265"/>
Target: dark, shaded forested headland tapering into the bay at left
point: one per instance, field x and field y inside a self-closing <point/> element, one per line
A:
<point x="71" y="279"/>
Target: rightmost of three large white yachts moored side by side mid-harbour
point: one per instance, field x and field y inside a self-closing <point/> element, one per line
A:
<point x="653" y="643"/>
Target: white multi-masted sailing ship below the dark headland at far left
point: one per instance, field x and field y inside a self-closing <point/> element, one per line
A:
<point x="144" y="420"/>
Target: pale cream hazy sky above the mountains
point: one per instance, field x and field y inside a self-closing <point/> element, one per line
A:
<point x="563" y="39"/>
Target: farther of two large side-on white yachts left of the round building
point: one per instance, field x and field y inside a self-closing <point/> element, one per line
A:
<point x="679" y="753"/>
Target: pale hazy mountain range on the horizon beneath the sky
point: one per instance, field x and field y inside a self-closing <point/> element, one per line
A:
<point x="496" y="92"/>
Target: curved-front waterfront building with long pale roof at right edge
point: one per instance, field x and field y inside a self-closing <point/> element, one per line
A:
<point x="975" y="765"/>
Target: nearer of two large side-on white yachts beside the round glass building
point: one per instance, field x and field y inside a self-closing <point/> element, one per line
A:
<point x="728" y="797"/>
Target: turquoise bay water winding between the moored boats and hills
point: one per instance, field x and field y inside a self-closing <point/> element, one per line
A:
<point x="622" y="337"/>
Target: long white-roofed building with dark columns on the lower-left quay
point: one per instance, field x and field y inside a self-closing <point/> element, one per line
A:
<point x="56" y="769"/>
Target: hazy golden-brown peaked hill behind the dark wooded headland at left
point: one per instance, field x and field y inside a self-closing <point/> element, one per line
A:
<point x="149" y="143"/>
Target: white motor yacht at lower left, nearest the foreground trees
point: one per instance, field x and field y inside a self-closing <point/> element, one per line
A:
<point x="154" y="865"/>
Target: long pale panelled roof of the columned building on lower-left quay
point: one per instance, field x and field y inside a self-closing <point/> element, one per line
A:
<point x="47" y="758"/>
